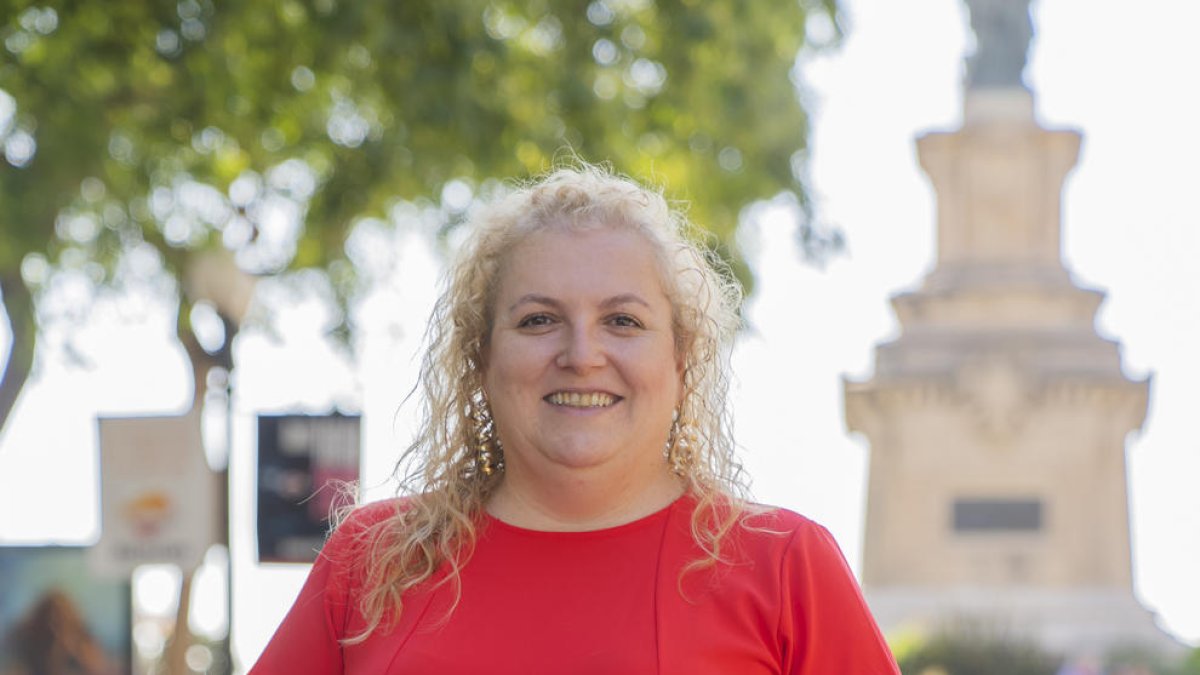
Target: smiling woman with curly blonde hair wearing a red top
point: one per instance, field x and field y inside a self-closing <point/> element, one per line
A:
<point x="577" y="506"/>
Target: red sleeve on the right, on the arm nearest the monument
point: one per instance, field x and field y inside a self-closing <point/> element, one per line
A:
<point x="825" y="623"/>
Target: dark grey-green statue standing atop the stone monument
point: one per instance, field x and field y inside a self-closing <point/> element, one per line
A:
<point x="1003" y="31"/>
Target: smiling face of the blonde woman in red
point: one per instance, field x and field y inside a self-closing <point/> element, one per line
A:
<point x="581" y="368"/>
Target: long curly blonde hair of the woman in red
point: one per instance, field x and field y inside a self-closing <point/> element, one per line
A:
<point x="442" y="470"/>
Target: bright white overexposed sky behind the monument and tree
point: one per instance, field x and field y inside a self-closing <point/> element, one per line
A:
<point x="1121" y="74"/>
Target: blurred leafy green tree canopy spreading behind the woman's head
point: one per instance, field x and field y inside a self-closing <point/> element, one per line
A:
<point x="170" y="130"/>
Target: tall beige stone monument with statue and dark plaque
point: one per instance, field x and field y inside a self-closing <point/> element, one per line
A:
<point x="998" y="420"/>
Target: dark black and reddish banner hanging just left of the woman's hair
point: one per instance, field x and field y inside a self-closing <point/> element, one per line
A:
<point x="304" y="463"/>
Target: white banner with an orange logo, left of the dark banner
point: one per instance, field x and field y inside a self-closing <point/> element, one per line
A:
<point x="158" y="494"/>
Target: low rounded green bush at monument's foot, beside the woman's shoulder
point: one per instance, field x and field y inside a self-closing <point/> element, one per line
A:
<point x="977" y="652"/>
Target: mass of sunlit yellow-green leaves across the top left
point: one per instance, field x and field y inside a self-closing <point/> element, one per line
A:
<point x="393" y="100"/>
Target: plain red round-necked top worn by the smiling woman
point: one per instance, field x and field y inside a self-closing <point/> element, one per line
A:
<point x="604" y="602"/>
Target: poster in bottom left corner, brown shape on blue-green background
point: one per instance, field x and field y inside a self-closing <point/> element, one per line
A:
<point x="57" y="618"/>
